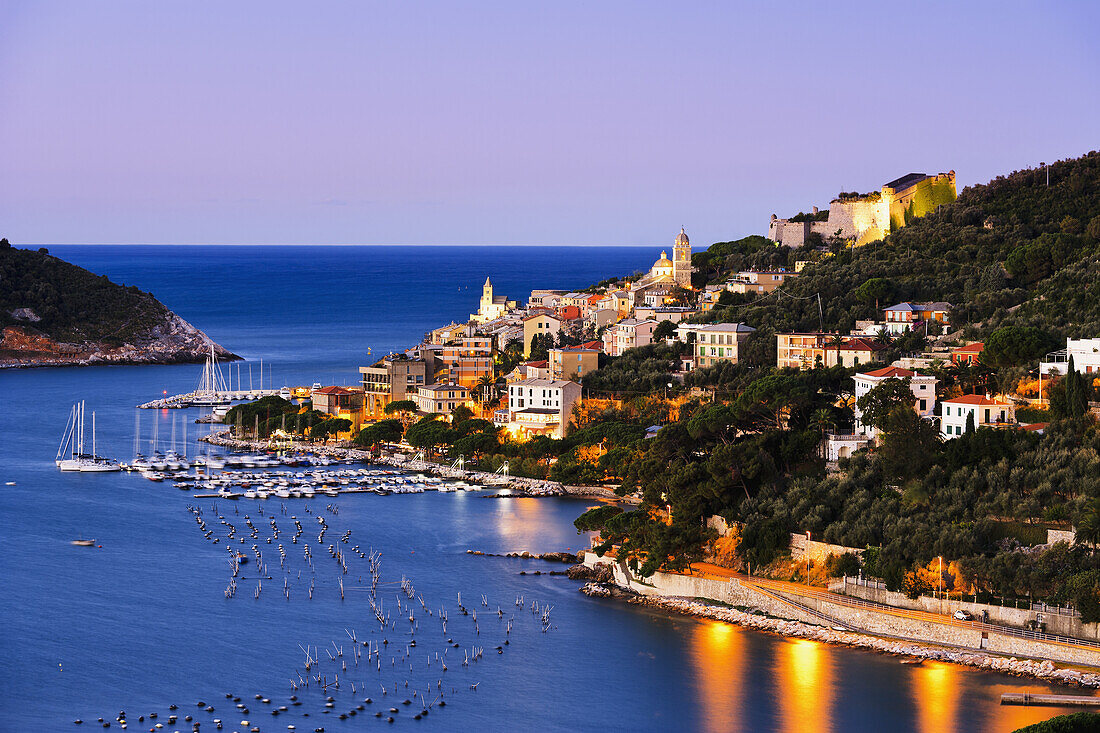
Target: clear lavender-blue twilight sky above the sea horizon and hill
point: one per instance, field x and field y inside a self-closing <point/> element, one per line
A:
<point x="563" y="123"/>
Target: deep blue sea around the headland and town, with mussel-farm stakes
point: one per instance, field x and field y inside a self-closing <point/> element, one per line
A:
<point x="145" y="620"/>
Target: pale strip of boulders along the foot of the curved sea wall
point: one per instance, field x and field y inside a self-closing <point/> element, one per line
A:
<point x="1044" y="671"/>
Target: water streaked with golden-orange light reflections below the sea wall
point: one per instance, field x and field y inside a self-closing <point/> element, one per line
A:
<point x="820" y="688"/>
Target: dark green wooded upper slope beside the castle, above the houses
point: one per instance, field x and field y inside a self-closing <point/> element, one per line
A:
<point x="1013" y="251"/>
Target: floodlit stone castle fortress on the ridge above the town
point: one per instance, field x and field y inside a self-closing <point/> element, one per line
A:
<point x="865" y="218"/>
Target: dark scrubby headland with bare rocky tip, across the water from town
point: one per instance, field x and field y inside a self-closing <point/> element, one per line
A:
<point x="54" y="313"/>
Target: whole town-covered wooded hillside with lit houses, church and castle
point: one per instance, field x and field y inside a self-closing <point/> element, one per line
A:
<point x="916" y="390"/>
